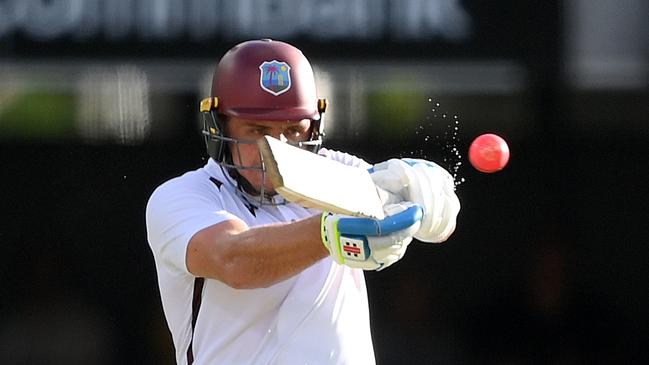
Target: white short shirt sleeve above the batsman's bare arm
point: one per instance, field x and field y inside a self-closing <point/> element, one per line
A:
<point x="174" y="214"/>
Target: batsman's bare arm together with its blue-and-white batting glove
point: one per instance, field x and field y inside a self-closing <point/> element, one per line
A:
<point x="244" y="257"/>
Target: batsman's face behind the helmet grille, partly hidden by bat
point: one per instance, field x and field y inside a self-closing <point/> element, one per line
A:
<point x="247" y="154"/>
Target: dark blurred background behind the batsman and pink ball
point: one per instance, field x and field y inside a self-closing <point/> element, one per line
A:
<point x="549" y="264"/>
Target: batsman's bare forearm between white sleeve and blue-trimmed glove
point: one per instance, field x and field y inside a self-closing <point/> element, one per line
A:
<point x="245" y="257"/>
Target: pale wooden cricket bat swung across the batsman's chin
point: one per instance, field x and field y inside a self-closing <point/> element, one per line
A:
<point x="314" y="181"/>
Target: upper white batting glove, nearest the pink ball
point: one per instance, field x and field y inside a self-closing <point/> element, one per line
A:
<point x="424" y="183"/>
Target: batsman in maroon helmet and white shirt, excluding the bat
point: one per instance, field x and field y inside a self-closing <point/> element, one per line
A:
<point x="246" y="277"/>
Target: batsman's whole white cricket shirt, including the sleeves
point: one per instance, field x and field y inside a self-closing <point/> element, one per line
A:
<point x="319" y="316"/>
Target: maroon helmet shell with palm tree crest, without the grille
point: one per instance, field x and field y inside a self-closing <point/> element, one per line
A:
<point x="265" y="80"/>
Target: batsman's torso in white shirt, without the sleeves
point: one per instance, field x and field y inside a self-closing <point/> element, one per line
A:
<point x="318" y="316"/>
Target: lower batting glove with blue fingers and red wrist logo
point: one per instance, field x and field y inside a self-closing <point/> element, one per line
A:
<point x="367" y="243"/>
